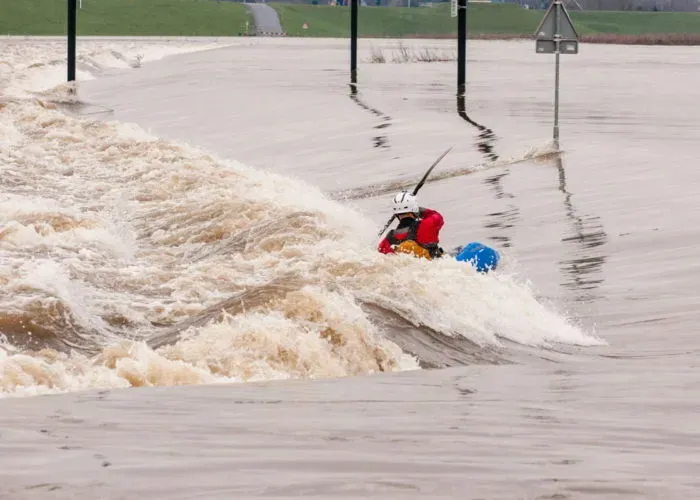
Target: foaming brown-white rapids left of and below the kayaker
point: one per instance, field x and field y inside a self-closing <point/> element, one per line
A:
<point x="128" y="260"/>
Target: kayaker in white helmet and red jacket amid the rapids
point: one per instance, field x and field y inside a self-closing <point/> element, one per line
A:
<point x="418" y="231"/>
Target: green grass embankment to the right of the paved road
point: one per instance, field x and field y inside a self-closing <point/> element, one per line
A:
<point x="489" y="21"/>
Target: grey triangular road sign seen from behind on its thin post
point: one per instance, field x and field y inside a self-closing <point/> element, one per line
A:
<point x="556" y="34"/>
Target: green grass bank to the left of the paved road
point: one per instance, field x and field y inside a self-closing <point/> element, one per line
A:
<point x="125" y="17"/>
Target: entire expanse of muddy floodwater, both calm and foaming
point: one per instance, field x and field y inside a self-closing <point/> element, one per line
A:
<point x="212" y="217"/>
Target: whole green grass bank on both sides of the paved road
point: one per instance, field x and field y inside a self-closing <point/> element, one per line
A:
<point x="213" y="18"/>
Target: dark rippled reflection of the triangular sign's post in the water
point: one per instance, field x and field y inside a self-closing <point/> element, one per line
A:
<point x="585" y="270"/>
